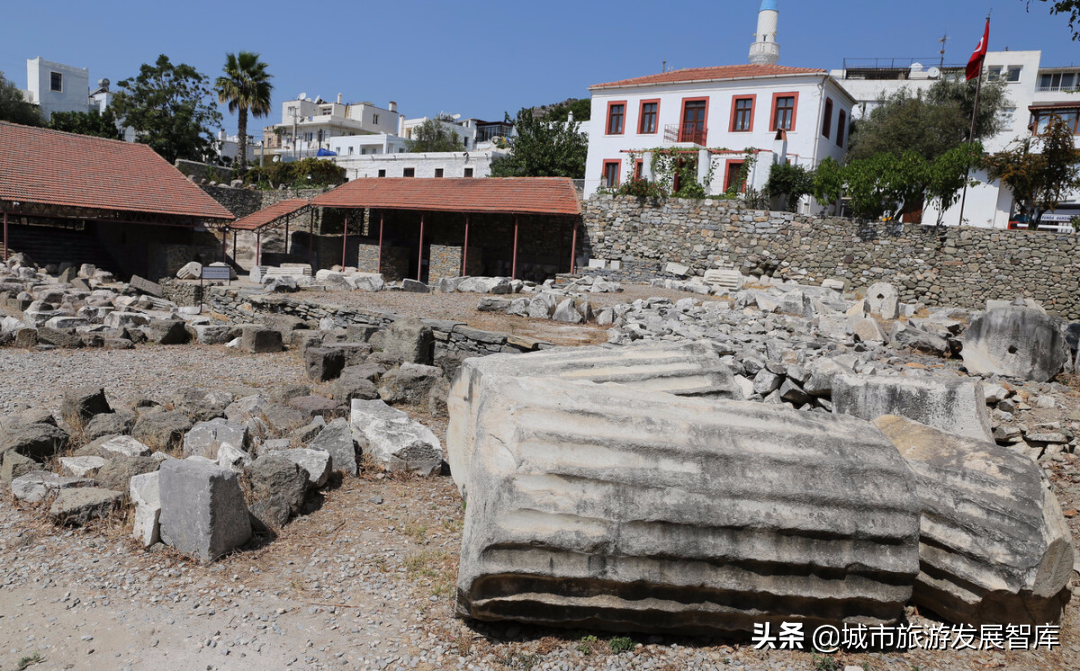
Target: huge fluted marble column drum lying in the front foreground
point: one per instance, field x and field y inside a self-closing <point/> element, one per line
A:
<point x="614" y="508"/>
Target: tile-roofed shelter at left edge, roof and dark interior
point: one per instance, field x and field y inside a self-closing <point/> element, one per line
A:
<point x="83" y="199"/>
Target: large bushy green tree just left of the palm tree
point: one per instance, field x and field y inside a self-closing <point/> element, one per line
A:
<point x="171" y="109"/>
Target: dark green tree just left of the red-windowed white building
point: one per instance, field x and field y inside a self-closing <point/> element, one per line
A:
<point x="544" y="150"/>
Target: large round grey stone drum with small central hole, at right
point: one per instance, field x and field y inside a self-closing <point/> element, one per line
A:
<point x="1018" y="342"/>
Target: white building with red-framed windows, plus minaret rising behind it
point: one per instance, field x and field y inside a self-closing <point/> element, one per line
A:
<point x="781" y="114"/>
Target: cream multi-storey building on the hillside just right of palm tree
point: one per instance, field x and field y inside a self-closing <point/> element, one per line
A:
<point x="308" y="126"/>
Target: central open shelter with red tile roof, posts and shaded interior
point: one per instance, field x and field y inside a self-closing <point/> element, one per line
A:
<point x="428" y="230"/>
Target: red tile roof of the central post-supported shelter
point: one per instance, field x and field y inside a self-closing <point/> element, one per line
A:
<point x="495" y="195"/>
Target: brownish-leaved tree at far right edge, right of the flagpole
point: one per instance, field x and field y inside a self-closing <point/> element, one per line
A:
<point x="1041" y="171"/>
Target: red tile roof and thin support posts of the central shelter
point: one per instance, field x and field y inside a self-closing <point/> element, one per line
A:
<point x="530" y="197"/>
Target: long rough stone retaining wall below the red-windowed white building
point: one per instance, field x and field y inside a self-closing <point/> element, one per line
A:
<point x="936" y="266"/>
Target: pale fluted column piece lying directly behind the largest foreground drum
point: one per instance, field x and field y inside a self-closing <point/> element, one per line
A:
<point x="690" y="370"/>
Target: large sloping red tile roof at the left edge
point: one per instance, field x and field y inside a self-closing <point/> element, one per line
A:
<point x="50" y="168"/>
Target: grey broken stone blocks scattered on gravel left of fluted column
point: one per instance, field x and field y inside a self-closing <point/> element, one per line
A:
<point x="182" y="464"/>
